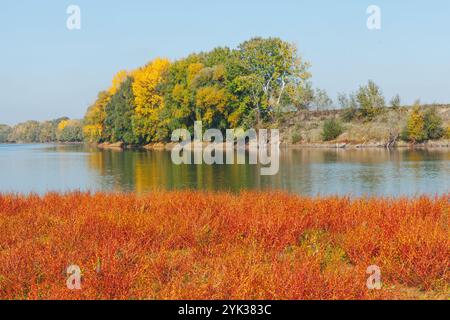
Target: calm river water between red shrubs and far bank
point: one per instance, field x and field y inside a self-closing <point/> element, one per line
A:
<point x="42" y="168"/>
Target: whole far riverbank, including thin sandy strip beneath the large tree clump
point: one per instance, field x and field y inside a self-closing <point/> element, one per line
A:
<point x="304" y="130"/>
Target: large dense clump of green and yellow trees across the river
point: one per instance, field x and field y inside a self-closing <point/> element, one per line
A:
<point x="223" y="88"/>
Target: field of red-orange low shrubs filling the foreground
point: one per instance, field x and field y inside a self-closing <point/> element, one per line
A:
<point x="197" y="245"/>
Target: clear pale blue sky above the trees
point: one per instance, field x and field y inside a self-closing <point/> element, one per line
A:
<point x="48" y="71"/>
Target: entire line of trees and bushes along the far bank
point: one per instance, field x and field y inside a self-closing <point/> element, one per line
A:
<point x="252" y="86"/>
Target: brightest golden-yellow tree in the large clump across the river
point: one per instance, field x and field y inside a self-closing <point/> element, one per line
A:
<point x="148" y="101"/>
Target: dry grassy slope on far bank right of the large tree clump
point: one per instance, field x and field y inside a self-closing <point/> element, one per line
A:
<point x="306" y="128"/>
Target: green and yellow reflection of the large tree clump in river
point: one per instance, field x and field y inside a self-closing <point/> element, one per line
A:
<point x="143" y="171"/>
